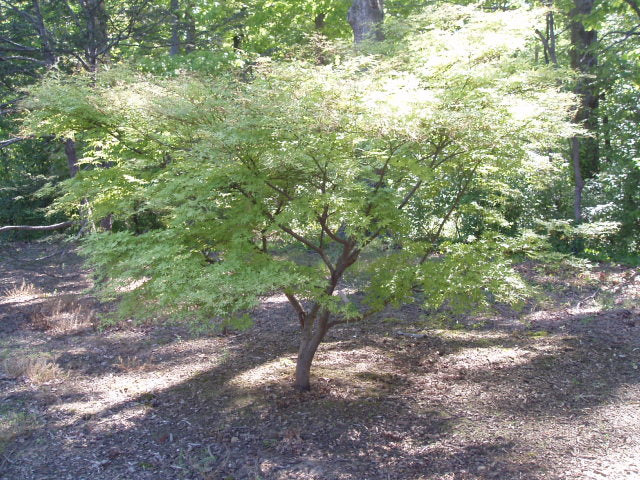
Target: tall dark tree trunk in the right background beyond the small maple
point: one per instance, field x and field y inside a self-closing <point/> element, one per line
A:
<point x="584" y="150"/>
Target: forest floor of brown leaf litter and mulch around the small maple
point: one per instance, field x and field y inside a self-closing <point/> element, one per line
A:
<point x="550" y="392"/>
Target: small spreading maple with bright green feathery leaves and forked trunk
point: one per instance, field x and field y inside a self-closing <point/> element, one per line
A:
<point x="286" y="182"/>
